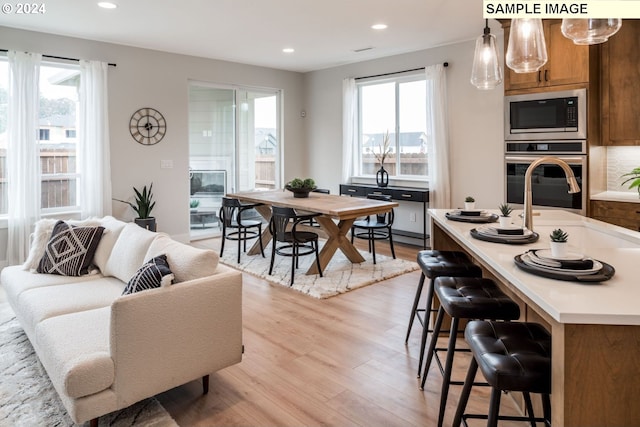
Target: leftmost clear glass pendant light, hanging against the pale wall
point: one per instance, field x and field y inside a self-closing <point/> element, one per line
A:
<point x="486" y="72"/>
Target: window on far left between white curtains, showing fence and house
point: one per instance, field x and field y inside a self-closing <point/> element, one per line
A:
<point x="56" y="134"/>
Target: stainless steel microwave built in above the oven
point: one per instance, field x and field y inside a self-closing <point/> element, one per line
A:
<point x="544" y="116"/>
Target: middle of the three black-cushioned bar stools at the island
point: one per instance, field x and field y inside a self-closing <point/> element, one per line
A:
<point x="464" y="298"/>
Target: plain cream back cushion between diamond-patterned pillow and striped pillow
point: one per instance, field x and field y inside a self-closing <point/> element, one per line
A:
<point x="128" y="253"/>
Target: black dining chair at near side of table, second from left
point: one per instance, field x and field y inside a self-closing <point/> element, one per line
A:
<point x="288" y="241"/>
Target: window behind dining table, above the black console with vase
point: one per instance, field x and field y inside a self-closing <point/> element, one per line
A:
<point x="393" y="109"/>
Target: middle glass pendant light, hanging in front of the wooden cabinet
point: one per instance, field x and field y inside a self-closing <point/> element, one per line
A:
<point x="527" y="50"/>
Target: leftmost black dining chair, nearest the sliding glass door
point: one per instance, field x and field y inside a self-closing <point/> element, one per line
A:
<point x="236" y="228"/>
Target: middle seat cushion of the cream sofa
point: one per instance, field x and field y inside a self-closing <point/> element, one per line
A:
<point x="36" y="305"/>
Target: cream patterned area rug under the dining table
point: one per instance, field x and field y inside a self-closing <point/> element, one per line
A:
<point x="340" y="275"/>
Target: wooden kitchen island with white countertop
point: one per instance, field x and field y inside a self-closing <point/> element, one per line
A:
<point x="595" y="327"/>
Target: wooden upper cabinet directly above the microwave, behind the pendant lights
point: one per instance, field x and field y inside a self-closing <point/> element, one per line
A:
<point x="567" y="63"/>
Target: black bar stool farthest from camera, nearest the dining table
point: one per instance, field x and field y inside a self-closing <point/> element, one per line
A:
<point x="434" y="264"/>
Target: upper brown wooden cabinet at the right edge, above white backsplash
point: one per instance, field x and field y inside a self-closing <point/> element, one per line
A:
<point x="620" y="86"/>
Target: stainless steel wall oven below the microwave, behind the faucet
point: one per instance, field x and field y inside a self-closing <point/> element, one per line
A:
<point x="549" y="183"/>
